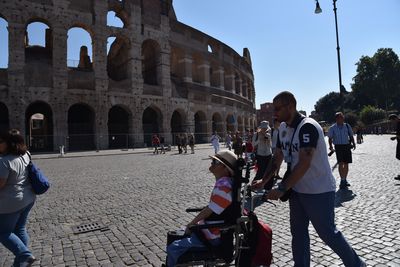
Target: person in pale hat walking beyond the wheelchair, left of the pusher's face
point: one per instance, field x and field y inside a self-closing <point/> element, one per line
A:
<point x="263" y="151"/>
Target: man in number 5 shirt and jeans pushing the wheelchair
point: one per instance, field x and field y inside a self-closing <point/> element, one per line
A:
<point x="301" y="143"/>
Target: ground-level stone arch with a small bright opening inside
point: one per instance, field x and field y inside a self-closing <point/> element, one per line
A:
<point x="39" y="126"/>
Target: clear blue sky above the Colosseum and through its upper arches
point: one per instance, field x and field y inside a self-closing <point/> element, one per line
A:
<point x="291" y="47"/>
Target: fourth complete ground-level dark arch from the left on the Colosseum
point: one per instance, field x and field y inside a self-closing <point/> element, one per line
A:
<point x="152" y="123"/>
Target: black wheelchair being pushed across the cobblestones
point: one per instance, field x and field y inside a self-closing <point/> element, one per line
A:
<point x="237" y="230"/>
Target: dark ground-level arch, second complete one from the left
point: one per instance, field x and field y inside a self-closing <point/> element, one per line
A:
<point x="81" y="127"/>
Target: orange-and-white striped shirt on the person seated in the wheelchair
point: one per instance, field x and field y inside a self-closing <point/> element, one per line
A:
<point x="221" y="198"/>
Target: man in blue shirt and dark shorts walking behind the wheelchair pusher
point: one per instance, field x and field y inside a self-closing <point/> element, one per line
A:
<point x="341" y="135"/>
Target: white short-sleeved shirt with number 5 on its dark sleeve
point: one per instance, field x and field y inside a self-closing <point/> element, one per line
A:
<point x="318" y="178"/>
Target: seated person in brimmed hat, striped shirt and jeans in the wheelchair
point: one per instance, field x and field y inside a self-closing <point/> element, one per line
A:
<point x="223" y="166"/>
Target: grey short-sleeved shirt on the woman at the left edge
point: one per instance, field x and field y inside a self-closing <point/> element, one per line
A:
<point x="17" y="192"/>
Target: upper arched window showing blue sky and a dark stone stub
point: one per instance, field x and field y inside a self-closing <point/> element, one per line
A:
<point x="79" y="49"/>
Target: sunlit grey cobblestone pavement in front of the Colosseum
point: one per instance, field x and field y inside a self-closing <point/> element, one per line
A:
<point x="139" y="197"/>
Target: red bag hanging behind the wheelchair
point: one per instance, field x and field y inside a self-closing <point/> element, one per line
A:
<point x="263" y="253"/>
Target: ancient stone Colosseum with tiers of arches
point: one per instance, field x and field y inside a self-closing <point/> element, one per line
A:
<point x="158" y="76"/>
